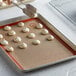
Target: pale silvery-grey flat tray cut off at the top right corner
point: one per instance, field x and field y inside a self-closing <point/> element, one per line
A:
<point x="66" y="8"/>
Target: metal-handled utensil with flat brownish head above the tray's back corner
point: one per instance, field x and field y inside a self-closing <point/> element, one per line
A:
<point x="29" y="10"/>
